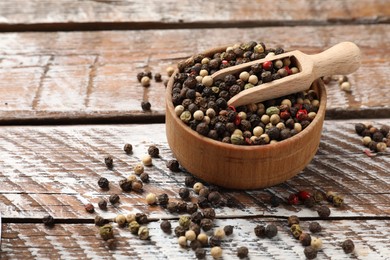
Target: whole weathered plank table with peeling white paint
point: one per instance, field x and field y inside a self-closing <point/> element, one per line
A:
<point x="69" y="97"/>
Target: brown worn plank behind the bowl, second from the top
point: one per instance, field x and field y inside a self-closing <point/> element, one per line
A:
<point x="91" y="76"/>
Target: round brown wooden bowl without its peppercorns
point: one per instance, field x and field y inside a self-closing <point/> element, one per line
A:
<point x="243" y="167"/>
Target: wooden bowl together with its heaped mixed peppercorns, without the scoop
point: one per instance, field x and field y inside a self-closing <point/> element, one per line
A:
<point x="246" y="147"/>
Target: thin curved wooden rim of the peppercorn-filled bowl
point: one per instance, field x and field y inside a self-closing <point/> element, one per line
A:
<point x="258" y="148"/>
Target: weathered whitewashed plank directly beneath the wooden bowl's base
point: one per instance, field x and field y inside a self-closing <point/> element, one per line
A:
<point x="54" y="170"/>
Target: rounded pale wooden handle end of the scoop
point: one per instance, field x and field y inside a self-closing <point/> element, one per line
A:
<point x="341" y="59"/>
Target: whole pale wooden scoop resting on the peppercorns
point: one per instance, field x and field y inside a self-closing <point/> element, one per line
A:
<point x="341" y="59"/>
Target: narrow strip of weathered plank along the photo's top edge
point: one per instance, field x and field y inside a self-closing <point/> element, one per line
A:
<point x="25" y="15"/>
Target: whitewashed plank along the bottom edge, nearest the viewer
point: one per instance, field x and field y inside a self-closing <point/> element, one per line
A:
<point x="76" y="241"/>
